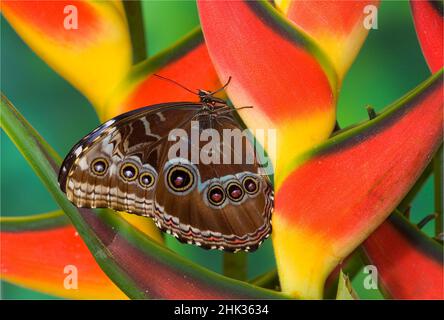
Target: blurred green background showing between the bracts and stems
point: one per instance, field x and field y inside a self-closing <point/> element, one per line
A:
<point x="389" y="64"/>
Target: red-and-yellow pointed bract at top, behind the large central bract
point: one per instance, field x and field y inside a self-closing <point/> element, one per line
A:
<point x="338" y="27"/>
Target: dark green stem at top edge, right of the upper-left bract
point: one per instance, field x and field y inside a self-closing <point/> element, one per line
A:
<point x="134" y="14"/>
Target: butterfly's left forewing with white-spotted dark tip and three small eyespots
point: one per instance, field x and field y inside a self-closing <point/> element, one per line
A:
<point x="109" y="166"/>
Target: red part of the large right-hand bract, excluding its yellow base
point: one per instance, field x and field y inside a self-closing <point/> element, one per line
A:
<point x="376" y="160"/>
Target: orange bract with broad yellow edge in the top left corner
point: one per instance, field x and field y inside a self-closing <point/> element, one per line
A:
<point x="87" y="42"/>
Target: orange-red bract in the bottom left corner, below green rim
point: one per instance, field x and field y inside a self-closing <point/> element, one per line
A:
<point x="37" y="259"/>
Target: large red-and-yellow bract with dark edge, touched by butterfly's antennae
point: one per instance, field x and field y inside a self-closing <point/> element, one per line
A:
<point x="274" y="68"/>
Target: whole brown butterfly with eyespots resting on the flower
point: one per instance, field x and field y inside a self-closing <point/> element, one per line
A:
<point x="127" y="164"/>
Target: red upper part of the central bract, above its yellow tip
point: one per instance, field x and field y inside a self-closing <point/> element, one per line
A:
<point x="269" y="70"/>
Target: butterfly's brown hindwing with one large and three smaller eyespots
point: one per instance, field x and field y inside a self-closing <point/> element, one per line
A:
<point x="193" y="217"/>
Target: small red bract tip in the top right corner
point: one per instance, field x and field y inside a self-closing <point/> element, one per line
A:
<point x="428" y="17"/>
